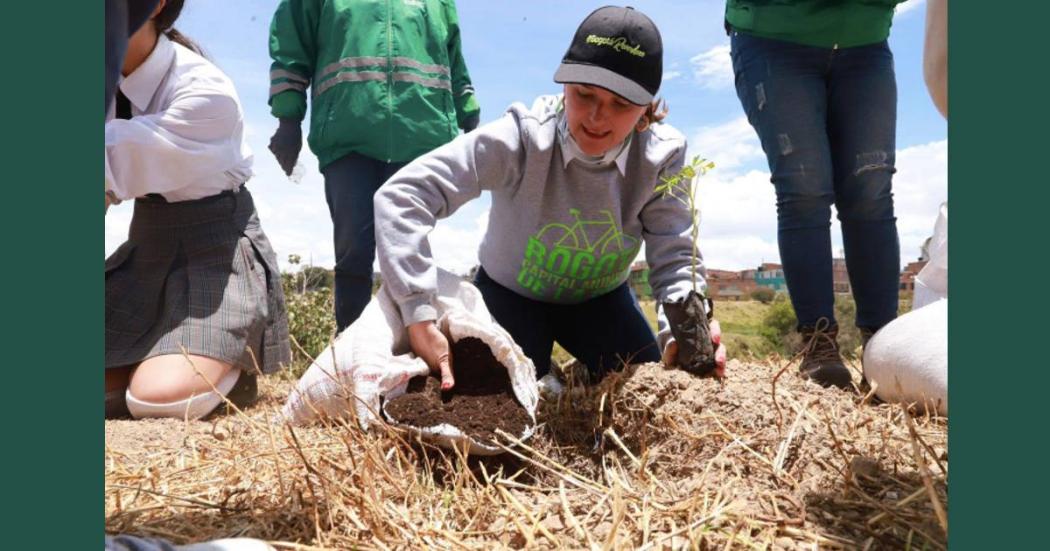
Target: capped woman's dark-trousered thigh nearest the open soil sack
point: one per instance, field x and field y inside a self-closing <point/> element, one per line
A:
<point x="527" y="321"/>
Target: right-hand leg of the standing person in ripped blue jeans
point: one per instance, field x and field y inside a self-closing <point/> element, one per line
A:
<point x="863" y="126"/>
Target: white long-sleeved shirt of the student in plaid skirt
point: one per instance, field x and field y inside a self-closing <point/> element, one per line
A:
<point x="185" y="140"/>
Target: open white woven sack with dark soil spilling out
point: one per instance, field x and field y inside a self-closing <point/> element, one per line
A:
<point x="372" y="359"/>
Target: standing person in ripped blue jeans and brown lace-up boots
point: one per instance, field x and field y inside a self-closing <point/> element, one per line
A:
<point x="816" y="80"/>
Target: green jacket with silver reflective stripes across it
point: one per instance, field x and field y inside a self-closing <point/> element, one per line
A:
<point x="387" y="77"/>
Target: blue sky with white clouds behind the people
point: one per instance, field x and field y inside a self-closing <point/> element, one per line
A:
<point x="512" y="50"/>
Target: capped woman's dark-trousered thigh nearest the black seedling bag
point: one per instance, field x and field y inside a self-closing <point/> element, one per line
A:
<point x="607" y="332"/>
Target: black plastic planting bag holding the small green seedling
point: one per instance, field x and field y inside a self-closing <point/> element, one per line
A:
<point x="690" y="328"/>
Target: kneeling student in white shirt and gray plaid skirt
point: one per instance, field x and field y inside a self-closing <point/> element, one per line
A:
<point x="194" y="298"/>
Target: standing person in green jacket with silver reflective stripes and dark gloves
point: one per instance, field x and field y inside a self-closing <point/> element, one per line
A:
<point x="389" y="83"/>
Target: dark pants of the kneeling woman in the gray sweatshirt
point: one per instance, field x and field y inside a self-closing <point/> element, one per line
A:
<point x="602" y="333"/>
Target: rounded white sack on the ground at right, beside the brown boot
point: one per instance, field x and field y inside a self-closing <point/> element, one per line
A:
<point x="908" y="361"/>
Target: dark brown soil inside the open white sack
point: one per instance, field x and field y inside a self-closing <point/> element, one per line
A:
<point x="481" y="402"/>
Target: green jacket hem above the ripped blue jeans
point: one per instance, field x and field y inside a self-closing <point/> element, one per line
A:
<point x="822" y="24"/>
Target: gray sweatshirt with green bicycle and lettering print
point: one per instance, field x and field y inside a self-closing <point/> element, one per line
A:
<point x="563" y="228"/>
